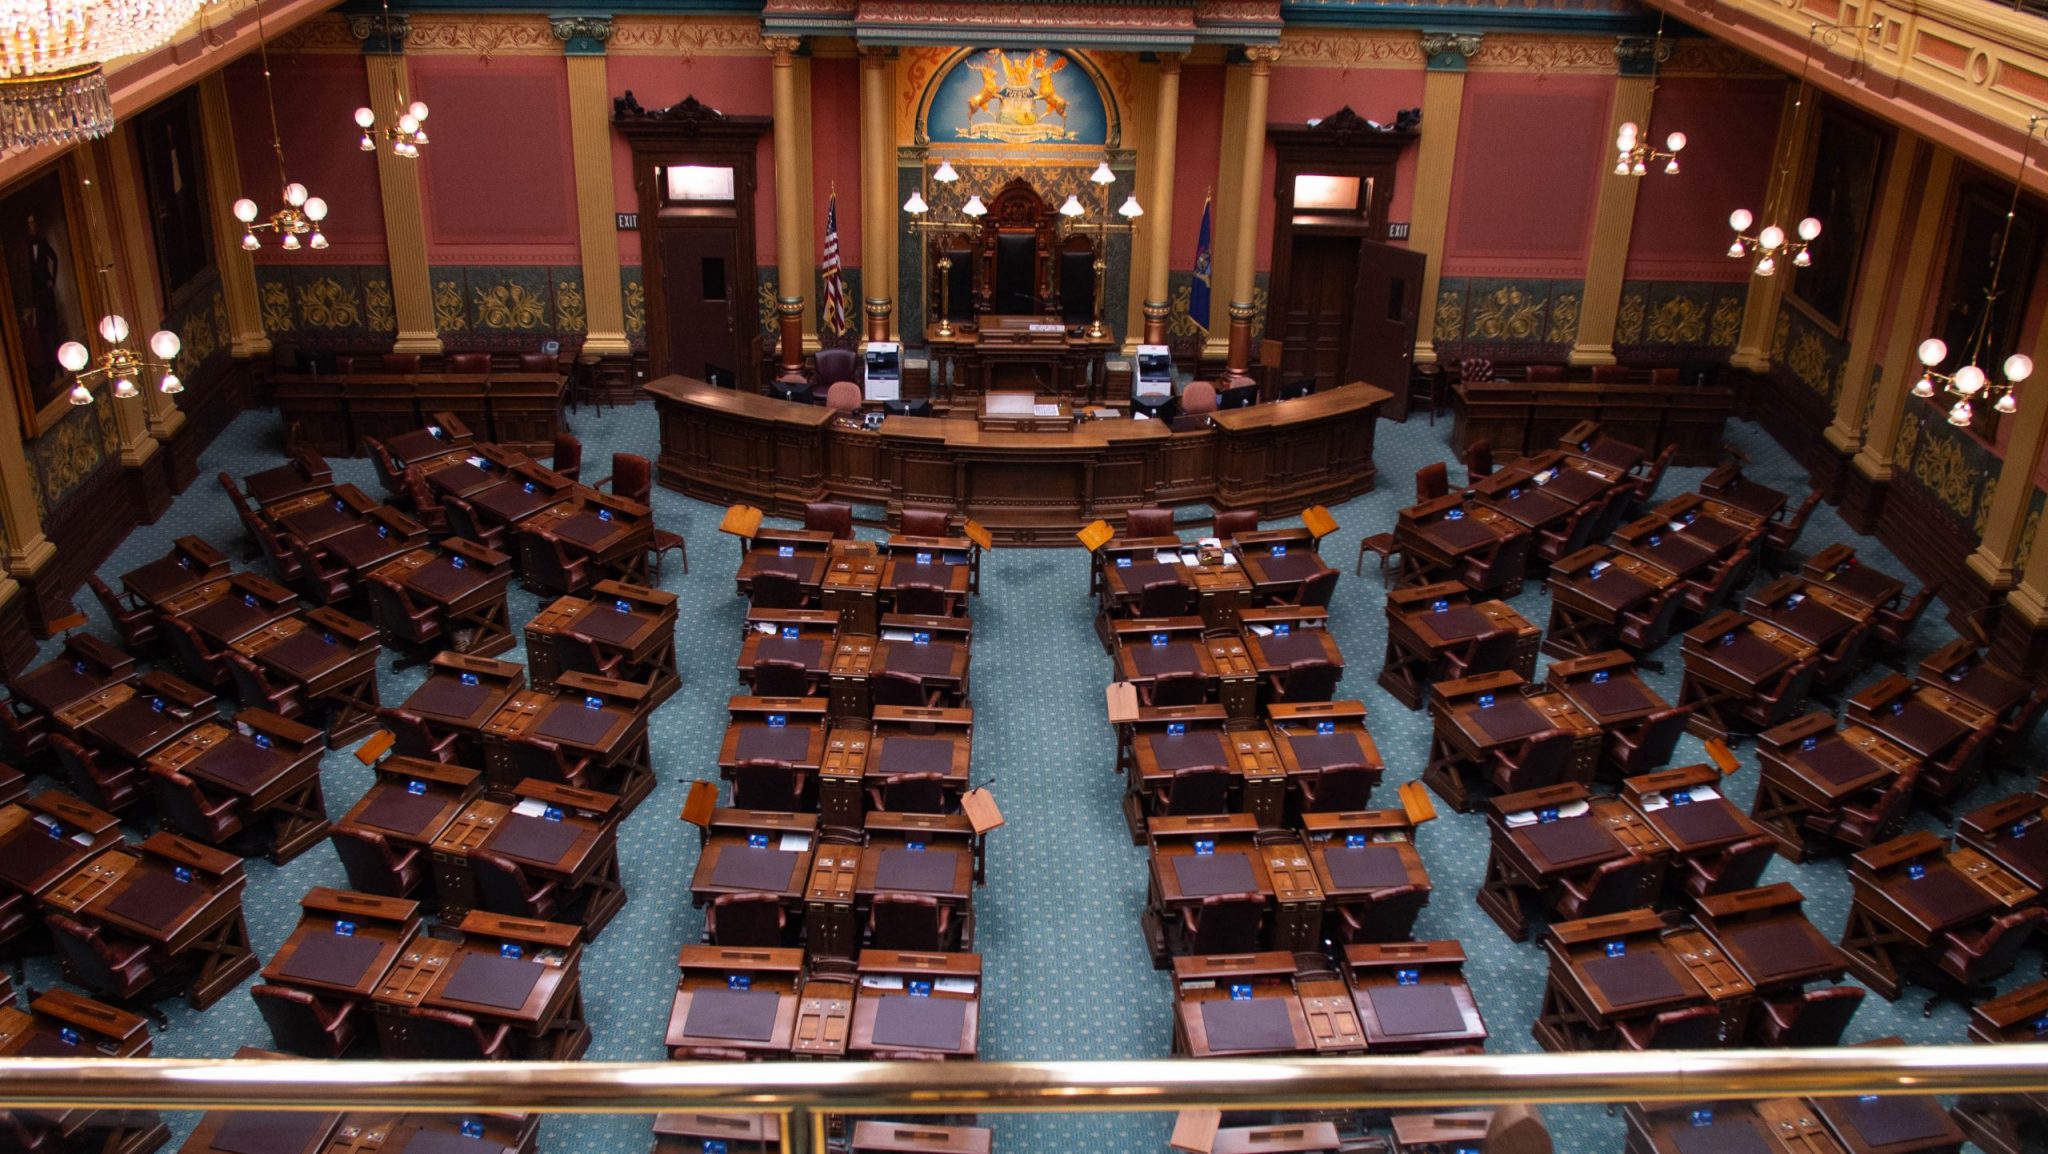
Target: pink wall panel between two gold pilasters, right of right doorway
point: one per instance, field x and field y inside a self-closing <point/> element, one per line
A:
<point x="1531" y="155"/>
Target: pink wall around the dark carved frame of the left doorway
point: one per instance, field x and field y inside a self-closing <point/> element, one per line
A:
<point x="736" y="85"/>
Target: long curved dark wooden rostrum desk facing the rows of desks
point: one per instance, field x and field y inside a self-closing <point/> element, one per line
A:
<point x="1027" y="489"/>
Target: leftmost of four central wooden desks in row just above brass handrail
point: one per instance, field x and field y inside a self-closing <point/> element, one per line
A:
<point x="736" y="999"/>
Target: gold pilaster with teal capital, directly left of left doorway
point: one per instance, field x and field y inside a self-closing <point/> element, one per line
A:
<point x="591" y="142"/>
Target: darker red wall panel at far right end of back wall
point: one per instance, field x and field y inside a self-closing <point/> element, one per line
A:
<point x="1682" y="222"/>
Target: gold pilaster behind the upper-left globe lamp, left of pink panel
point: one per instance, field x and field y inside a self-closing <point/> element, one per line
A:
<point x="398" y="183"/>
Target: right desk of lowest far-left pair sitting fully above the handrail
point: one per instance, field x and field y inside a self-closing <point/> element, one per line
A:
<point x="181" y="899"/>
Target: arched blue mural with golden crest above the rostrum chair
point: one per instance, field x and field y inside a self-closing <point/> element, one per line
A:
<point x="1019" y="97"/>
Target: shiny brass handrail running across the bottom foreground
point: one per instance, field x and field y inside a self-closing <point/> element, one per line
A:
<point x="1029" y="1087"/>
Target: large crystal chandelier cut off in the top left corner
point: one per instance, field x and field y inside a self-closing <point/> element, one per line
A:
<point x="52" y="89"/>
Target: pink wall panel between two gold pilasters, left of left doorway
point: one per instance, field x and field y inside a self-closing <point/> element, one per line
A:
<point x="499" y="179"/>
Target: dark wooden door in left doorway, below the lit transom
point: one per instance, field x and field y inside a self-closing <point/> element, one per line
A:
<point x="699" y="300"/>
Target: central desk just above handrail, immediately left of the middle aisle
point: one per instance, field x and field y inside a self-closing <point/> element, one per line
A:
<point x="921" y="1003"/>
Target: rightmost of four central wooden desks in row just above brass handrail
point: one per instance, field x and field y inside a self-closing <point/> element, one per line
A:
<point x="1412" y="997"/>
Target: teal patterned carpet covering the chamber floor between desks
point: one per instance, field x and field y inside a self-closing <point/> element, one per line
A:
<point x="1066" y="964"/>
